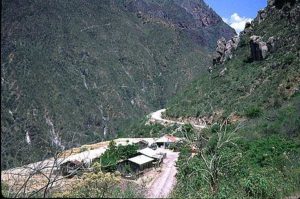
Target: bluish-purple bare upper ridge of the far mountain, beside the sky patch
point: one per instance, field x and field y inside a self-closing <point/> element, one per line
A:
<point x="193" y="17"/>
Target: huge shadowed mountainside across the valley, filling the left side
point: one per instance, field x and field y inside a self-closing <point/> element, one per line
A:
<point x="75" y="72"/>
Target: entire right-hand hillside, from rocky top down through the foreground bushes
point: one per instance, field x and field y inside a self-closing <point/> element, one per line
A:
<point x="250" y="99"/>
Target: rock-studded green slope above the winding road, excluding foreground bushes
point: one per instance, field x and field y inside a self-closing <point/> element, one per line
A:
<point x="243" y="85"/>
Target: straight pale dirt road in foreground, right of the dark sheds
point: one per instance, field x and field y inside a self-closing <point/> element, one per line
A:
<point x="164" y="183"/>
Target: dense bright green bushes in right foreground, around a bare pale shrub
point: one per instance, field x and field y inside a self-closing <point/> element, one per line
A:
<point x="241" y="168"/>
